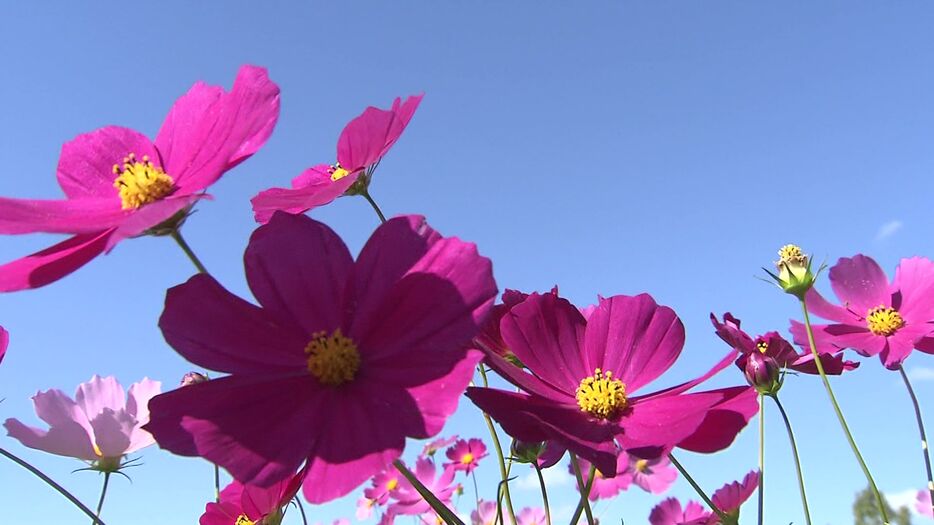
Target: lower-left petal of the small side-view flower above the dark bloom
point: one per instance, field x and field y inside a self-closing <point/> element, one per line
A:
<point x="311" y="189"/>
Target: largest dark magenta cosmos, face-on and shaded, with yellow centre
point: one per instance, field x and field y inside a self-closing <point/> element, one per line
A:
<point x="341" y="362"/>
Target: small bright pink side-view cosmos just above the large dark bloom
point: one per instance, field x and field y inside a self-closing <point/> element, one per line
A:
<point x="360" y="147"/>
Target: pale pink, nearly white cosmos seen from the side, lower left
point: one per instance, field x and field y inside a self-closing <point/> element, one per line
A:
<point x="101" y="425"/>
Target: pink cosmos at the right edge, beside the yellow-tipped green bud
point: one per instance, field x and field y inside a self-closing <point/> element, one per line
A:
<point x="876" y="317"/>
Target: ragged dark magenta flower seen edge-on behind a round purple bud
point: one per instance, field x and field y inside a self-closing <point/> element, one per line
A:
<point x="776" y="347"/>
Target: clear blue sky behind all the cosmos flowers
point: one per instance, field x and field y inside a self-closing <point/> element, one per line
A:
<point x="608" y="147"/>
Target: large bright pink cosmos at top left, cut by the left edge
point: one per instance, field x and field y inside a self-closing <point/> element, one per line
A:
<point x="119" y="184"/>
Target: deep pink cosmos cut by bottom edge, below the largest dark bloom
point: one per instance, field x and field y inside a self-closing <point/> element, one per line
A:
<point x="248" y="504"/>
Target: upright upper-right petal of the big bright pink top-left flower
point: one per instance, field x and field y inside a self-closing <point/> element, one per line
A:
<point x="208" y="132"/>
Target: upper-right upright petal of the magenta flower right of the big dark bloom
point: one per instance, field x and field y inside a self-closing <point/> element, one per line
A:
<point x="634" y="338"/>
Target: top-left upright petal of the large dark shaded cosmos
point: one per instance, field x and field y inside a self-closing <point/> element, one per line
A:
<point x="297" y="269"/>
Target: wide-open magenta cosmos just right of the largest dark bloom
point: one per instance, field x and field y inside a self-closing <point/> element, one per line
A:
<point x="582" y="374"/>
